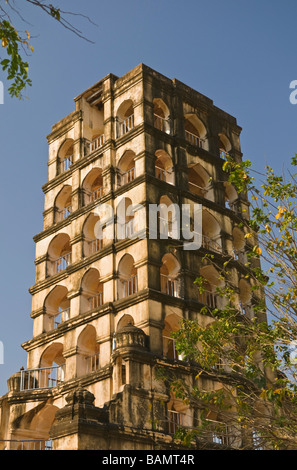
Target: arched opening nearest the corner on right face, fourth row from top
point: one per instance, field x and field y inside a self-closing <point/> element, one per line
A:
<point x="169" y="273"/>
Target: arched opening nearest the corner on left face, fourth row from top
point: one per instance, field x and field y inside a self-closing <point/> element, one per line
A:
<point x="127" y="277"/>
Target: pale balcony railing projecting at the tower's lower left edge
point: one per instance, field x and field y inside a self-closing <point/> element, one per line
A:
<point x="45" y="377"/>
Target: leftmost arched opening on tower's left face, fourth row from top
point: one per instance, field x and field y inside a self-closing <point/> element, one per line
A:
<point x="57" y="308"/>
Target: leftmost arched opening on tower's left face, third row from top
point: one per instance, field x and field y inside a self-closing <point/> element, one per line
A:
<point x="58" y="254"/>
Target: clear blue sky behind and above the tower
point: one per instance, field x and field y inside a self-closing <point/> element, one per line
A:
<point x="242" y="54"/>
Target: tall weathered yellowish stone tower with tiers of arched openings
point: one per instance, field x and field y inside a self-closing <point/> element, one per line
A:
<point x="104" y="307"/>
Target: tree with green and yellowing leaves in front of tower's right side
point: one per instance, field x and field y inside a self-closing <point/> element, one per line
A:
<point x="248" y="351"/>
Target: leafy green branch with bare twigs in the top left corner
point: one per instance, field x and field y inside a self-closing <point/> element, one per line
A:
<point x="17" y="45"/>
